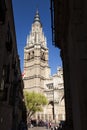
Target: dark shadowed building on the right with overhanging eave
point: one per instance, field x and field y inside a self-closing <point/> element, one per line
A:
<point x="70" y="35"/>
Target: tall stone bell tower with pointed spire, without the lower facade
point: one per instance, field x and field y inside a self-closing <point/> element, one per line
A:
<point x="36" y="66"/>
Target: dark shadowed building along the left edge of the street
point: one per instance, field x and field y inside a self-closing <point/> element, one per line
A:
<point x="12" y="108"/>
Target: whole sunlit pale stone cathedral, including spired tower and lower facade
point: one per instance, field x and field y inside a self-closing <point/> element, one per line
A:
<point x="37" y="75"/>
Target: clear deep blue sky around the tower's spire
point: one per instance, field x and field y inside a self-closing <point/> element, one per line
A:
<point x="24" y="12"/>
